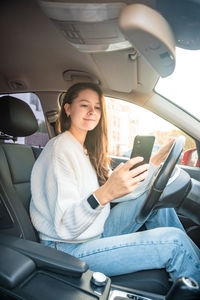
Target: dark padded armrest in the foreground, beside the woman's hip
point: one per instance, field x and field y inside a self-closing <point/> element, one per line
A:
<point x="46" y="258"/>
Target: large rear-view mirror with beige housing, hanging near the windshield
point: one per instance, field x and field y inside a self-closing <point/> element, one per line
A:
<point x="151" y="35"/>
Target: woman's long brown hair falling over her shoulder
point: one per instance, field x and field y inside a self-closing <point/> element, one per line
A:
<point x="96" y="140"/>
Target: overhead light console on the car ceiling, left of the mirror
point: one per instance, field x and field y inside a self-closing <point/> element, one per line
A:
<point x="90" y="27"/>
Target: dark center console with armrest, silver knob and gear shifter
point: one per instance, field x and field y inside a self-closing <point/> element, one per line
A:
<point x="29" y="270"/>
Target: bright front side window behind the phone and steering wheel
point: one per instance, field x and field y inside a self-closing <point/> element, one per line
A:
<point x="126" y="120"/>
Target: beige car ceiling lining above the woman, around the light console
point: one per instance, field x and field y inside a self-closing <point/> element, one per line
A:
<point x="35" y="54"/>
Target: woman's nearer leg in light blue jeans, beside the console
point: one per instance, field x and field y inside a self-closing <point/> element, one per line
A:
<point x="153" y="249"/>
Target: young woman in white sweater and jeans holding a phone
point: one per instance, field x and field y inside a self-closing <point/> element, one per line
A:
<point x="72" y="189"/>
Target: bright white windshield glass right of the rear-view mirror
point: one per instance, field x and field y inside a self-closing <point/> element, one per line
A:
<point x="183" y="86"/>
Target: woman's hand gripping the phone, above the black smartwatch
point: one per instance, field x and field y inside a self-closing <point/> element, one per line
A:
<point x="122" y="180"/>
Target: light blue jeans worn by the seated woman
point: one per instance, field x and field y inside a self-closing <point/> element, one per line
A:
<point x="122" y="250"/>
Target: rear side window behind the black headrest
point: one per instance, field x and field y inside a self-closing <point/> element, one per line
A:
<point x="41" y="137"/>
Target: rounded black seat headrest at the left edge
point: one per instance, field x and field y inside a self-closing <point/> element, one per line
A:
<point x="16" y="117"/>
